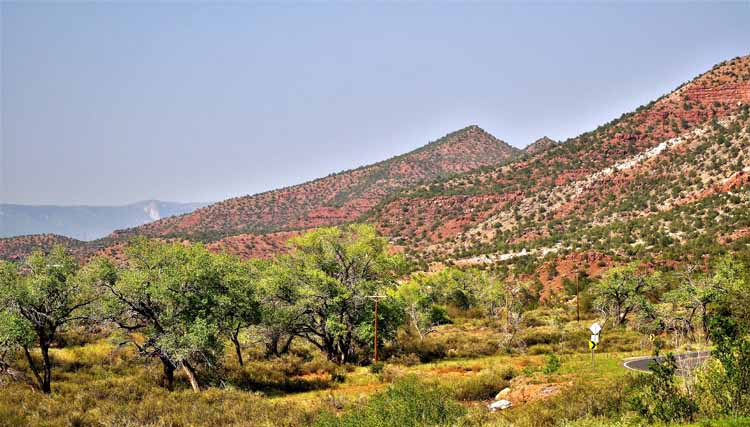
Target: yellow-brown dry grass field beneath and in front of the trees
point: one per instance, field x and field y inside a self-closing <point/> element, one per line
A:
<point x="101" y="384"/>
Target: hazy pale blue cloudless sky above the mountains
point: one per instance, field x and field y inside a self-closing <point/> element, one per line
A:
<point x="112" y="103"/>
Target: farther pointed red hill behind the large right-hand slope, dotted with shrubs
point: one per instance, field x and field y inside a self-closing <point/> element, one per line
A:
<point x="337" y="198"/>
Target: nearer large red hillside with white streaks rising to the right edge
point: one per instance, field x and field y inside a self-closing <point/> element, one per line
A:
<point x="652" y="181"/>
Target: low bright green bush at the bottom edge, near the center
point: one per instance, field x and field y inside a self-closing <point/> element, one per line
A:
<point x="407" y="403"/>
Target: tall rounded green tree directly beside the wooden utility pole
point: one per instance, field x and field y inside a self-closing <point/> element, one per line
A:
<point x="326" y="284"/>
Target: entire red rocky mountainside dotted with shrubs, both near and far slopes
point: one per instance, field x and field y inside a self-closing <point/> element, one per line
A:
<point x="669" y="180"/>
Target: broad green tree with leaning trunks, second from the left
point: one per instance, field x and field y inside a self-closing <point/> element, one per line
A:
<point x="172" y="295"/>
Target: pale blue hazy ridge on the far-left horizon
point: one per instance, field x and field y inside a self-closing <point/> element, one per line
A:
<point x="84" y="222"/>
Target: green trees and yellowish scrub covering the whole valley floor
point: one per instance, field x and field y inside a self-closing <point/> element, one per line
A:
<point x="175" y="335"/>
